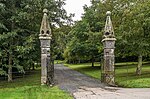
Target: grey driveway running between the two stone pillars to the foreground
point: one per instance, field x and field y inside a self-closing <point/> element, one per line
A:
<point x="85" y="87"/>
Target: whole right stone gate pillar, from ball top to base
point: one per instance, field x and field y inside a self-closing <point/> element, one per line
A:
<point x="109" y="57"/>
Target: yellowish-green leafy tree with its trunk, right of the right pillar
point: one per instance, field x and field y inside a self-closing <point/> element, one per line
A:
<point x="135" y="26"/>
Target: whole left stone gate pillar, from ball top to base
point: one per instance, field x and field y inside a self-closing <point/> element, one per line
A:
<point x="47" y="71"/>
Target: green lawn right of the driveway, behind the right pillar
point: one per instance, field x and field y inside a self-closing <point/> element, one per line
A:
<point x="124" y="73"/>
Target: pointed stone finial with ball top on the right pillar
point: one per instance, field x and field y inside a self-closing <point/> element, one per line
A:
<point x="108" y="31"/>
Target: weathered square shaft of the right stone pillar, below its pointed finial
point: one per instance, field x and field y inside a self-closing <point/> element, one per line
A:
<point x="108" y="63"/>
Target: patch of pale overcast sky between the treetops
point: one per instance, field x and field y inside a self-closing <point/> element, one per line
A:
<point x="76" y="6"/>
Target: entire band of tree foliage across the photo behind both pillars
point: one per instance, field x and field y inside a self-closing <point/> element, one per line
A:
<point x="20" y="23"/>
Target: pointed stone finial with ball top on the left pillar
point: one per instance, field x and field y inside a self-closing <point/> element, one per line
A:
<point x="45" y="30"/>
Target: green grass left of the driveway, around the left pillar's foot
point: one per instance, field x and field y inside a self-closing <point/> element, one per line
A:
<point x="29" y="88"/>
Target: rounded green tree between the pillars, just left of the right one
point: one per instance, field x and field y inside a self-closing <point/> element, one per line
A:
<point x="86" y="36"/>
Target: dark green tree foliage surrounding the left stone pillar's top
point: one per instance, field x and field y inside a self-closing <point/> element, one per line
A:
<point x="19" y="30"/>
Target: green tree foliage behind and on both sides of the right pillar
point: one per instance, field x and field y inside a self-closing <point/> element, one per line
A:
<point x="131" y="21"/>
